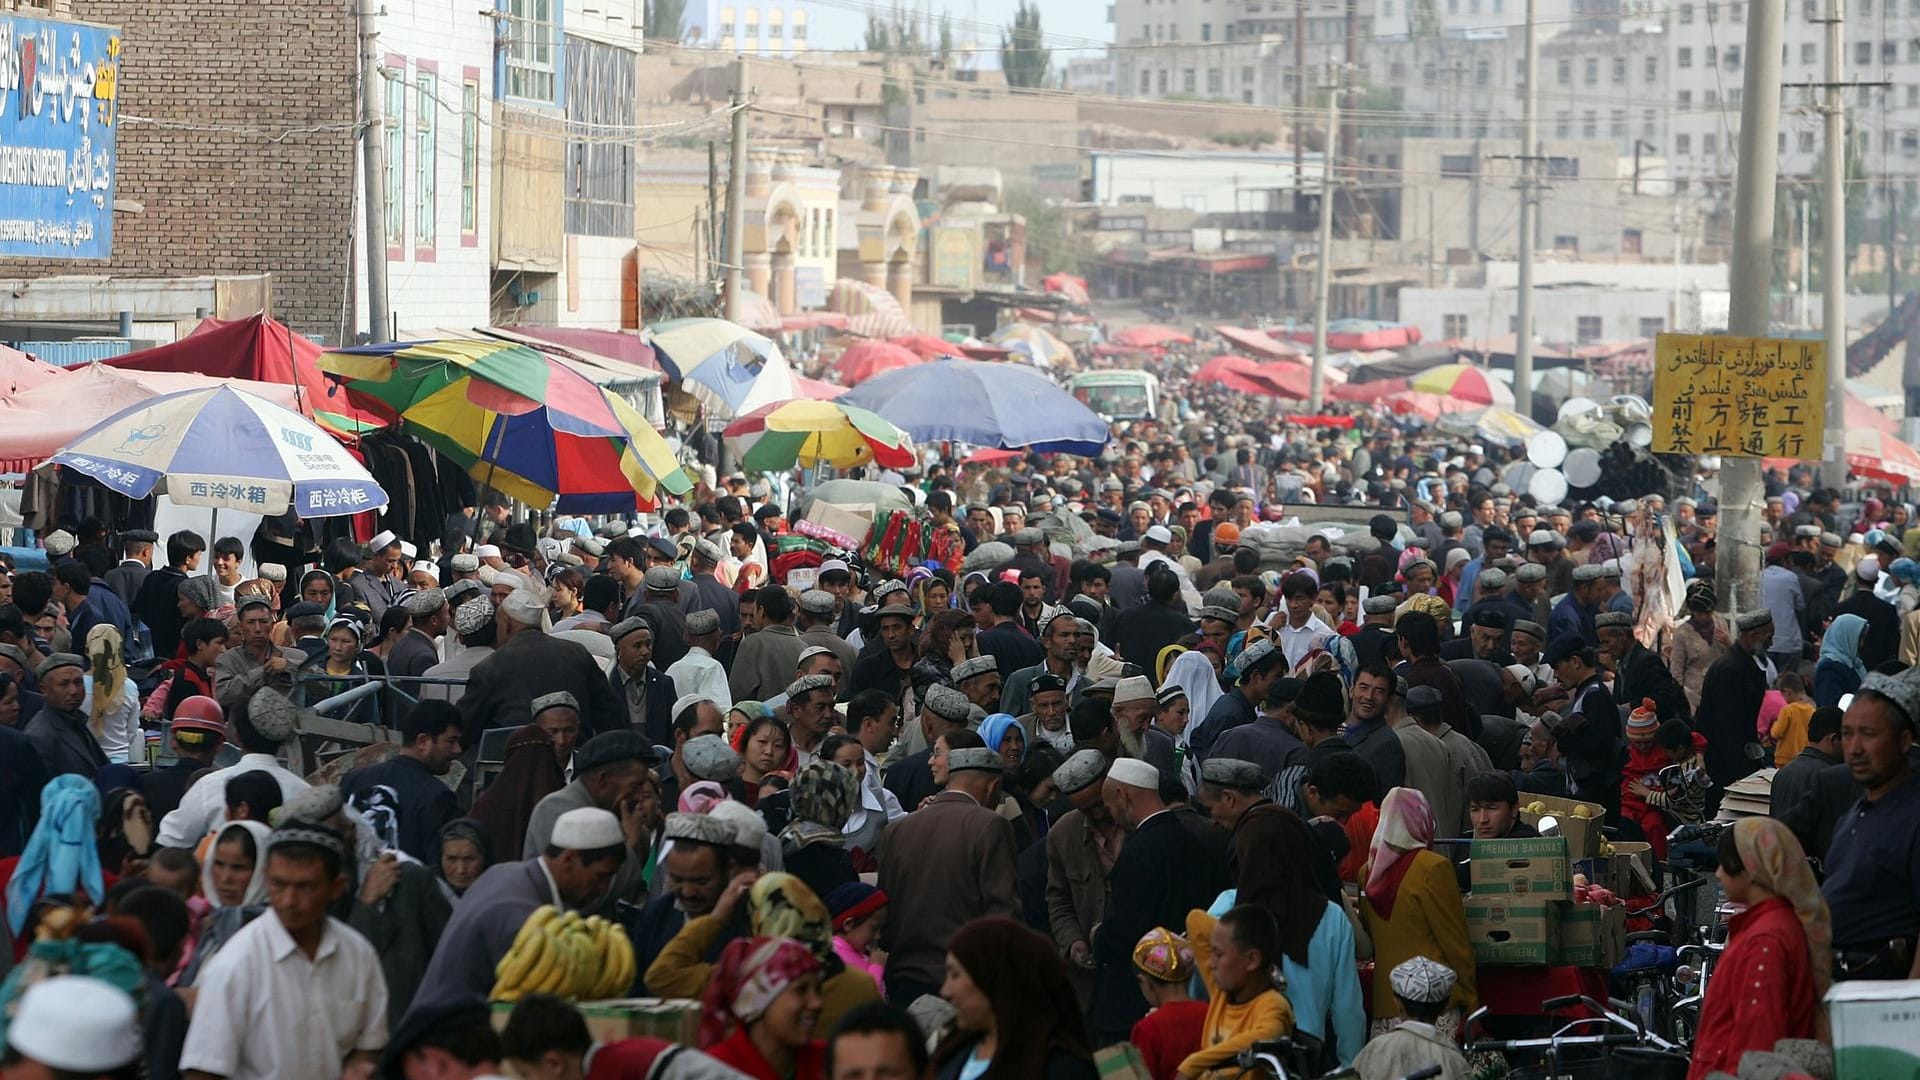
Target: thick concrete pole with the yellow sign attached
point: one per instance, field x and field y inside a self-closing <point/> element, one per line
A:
<point x="1752" y="282"/>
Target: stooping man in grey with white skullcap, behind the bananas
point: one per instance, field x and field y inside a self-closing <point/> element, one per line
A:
<point x="585" y="852"/>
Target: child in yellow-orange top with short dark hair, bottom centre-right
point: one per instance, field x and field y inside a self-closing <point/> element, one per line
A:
<point x="1236" y="956"/>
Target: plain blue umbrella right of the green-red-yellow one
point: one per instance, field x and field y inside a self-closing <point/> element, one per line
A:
<point x="984" y="405"/>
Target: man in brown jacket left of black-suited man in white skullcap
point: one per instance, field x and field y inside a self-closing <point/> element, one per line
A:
<point x="1080" y="852"/>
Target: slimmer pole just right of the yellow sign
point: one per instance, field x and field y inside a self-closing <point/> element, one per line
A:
<point x="1835" y="255"/>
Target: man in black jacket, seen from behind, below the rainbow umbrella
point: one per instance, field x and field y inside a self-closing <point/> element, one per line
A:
<point x="529" y="664"/>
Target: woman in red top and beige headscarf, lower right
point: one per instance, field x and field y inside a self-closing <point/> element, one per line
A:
<point x="1779" y="954"/>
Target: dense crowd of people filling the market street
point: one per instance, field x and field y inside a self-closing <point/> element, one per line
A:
<point x="1153" y="764"/>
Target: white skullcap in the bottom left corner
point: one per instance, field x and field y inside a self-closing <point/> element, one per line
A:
<point x="72" y="1025"/>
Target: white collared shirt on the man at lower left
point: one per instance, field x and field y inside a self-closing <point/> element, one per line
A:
<point x="266" y="1012"/>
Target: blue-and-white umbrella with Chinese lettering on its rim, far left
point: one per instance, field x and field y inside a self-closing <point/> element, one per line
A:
<point x="226" y="451"/>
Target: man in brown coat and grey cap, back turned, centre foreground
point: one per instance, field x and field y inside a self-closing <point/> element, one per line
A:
<point x="948" y="864"/>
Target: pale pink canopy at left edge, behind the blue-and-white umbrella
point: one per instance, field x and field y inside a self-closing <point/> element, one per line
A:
<point x="36" y="424"/>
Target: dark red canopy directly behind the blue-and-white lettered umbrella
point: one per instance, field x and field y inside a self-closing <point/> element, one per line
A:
<point x="264" y="351"/>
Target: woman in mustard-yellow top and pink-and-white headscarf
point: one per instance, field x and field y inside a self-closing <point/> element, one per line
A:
<point x="1412" y="908"/>
